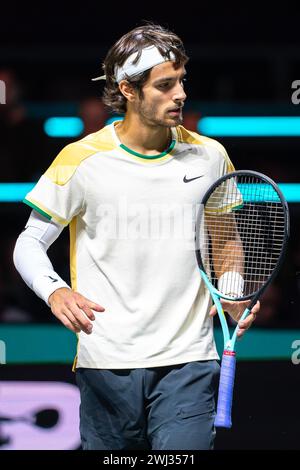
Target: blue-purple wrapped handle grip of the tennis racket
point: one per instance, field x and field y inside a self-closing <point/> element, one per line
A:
<point x="223" y="417"/>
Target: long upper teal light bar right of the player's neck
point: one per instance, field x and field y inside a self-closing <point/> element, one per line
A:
<point x="250" y="126"/>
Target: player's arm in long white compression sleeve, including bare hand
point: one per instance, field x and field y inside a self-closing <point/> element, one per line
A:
<point x="33" y="264"/>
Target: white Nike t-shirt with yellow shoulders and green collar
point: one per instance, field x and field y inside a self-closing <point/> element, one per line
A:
<point x="132" y="245"/>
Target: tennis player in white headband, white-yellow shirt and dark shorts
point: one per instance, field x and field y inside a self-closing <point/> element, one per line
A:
<point x="147" y="363"/>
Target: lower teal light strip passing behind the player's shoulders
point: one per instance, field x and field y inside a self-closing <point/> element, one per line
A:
<point x="15" y="192"/>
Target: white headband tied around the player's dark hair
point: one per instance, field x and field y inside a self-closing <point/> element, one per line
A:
<point x="150" y="57"/>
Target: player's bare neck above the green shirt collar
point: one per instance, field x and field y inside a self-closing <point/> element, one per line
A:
<point x="142" y="138"/>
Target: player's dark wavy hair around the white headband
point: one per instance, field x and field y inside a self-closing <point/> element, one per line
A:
<point x="135" y="41"/>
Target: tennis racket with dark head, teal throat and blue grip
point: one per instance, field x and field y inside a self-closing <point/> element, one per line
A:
<point x="242" y="230"/>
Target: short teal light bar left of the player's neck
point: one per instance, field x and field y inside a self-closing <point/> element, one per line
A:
<point x="63" y="126"/>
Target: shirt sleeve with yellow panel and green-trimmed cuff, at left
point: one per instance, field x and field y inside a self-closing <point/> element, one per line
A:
<point x="59" y="193"/>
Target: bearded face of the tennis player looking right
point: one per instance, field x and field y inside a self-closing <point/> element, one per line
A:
<point x="163" y="96"/>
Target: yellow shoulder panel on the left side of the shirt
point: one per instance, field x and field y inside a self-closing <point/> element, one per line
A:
<point x="67" y="161"/>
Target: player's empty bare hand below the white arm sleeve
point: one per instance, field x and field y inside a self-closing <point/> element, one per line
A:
<point x="73" y="309"/>
